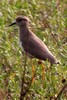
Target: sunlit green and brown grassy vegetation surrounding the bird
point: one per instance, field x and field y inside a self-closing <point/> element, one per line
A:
<point x="49" y="22"/>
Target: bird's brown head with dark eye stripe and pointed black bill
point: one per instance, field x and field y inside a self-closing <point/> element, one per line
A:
<point x="21" y="21"/>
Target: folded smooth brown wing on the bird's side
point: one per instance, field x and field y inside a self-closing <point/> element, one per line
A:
<point x="37" y="48"/>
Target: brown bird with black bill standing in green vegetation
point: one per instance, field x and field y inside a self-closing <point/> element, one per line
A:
<point x="33" y="46"/>
